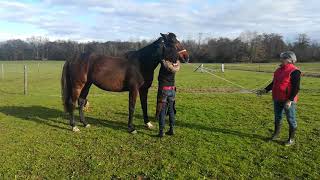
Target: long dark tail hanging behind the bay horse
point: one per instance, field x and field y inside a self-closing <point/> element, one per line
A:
<point x="66" y="88"/>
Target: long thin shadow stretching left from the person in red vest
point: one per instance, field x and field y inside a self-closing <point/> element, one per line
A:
<point x="198" y="126"/>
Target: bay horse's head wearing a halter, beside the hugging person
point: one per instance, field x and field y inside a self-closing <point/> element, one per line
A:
<point x="172" y="43"/>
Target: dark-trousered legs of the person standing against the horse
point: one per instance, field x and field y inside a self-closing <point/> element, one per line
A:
<point x="167" y="98"/>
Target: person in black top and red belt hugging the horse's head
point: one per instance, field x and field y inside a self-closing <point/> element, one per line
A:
<point x="167" y="91"/>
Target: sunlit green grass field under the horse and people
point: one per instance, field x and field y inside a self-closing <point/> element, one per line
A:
<point x="221" y="132"/>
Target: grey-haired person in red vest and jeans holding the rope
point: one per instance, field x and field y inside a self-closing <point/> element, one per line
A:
<point x="285" y="87"/>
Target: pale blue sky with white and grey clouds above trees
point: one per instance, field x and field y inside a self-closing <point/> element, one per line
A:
<point x="102" y="20"/>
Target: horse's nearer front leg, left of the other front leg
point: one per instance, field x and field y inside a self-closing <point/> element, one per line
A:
<point x="133" y="93"/>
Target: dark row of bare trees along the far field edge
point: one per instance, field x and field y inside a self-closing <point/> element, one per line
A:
<point x="249" y="47"/>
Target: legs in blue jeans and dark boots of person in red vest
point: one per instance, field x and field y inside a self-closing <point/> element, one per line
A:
<point x="279" y="109"/>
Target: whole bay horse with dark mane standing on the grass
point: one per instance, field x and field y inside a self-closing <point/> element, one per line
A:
<point x="133" y="73"/>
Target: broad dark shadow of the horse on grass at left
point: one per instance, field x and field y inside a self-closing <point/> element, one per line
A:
<point x="54" y="117"/>
